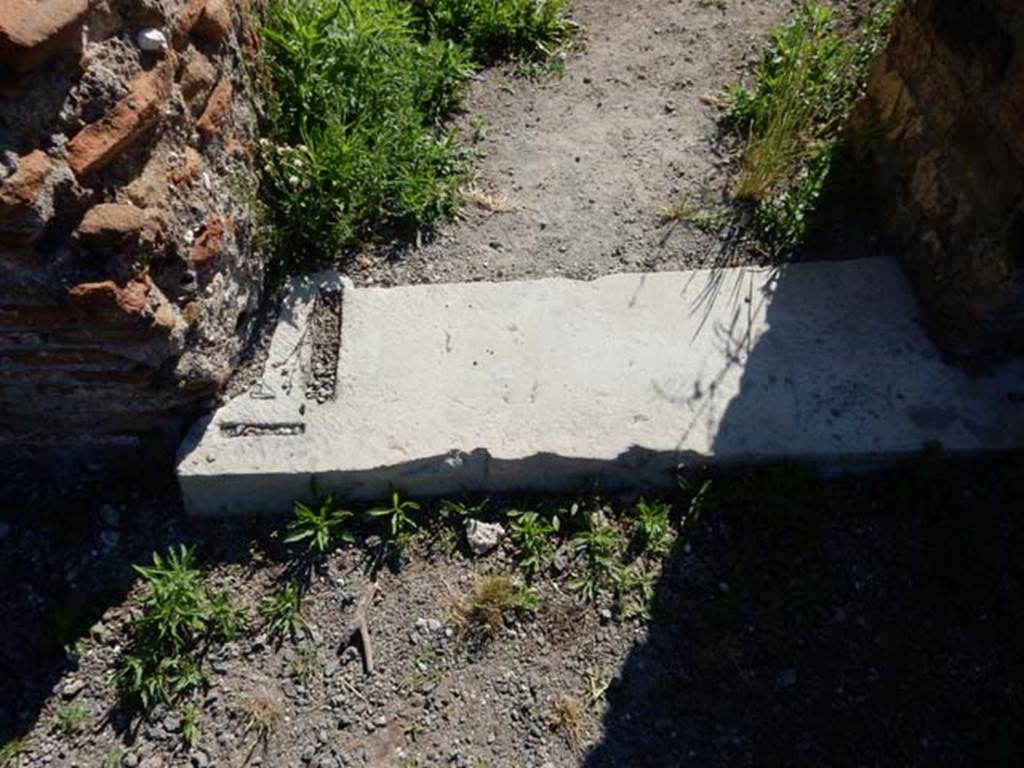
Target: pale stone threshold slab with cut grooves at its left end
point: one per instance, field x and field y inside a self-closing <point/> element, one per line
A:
<point x="547" y="385"/>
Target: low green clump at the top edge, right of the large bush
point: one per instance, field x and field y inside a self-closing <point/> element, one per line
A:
<point x="500" y="30"/>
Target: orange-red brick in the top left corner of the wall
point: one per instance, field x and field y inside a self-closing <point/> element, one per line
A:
<point x="32" y="31"/>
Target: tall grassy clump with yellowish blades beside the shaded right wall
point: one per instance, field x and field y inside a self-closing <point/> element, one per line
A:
<point x="793" y="116"/>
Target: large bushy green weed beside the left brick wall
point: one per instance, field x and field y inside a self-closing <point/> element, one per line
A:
<point x="352" y="107"/>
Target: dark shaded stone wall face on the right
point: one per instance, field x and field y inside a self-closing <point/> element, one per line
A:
<point x="948" y="100"/>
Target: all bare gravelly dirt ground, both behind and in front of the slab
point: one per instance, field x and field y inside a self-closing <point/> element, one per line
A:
<point x="867" y="621"/>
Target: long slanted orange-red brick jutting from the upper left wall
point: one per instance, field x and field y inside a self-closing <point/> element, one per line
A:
<point x="99" y="144"/>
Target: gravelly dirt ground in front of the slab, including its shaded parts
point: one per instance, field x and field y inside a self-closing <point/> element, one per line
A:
<point x="857" y="622"/>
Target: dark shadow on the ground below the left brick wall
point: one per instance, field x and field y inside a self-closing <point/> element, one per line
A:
<point x="66" y="564"/>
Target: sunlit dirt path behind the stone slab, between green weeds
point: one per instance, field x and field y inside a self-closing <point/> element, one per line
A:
<point x="578" y="167"/>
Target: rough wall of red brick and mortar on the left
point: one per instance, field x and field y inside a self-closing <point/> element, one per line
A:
<point x="127" y="273"/>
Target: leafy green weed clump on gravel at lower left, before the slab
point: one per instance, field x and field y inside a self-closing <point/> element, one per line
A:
<point x="182" y="617"/>
